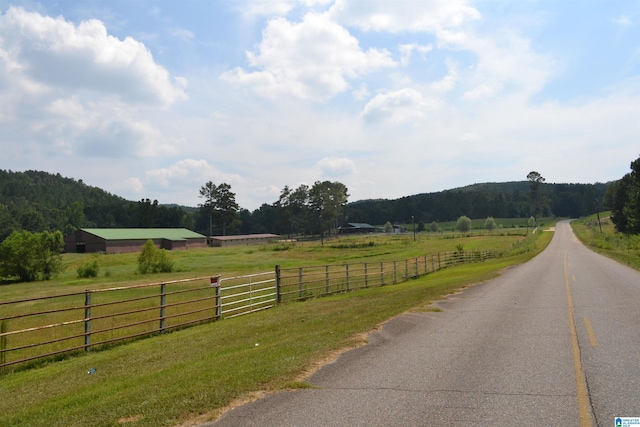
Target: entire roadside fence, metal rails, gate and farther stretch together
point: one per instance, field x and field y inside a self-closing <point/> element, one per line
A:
<point x="59" y="325"/>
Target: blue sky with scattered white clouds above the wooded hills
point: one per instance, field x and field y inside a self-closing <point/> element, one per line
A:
<point x="153" y="99"/>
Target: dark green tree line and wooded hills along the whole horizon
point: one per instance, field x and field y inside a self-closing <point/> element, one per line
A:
<point x="38" y="201"/>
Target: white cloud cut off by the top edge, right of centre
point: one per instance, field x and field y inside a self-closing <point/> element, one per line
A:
<point x="401" y="16"/>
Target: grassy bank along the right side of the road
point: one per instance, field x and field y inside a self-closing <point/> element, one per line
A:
<point x="620" y="247"/>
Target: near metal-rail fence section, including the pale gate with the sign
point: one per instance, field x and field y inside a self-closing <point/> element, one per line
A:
<point x="93" y="319"/>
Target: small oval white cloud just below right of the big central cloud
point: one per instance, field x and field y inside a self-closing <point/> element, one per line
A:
<point x="404" y="105"/>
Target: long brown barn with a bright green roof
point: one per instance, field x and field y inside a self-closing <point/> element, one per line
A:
<point x="121" y="240"/>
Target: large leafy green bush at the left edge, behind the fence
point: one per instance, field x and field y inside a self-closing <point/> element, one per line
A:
<point x="31" y="256"/>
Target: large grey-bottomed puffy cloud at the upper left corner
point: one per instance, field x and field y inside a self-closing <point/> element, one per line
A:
<point x="51" y="53"/>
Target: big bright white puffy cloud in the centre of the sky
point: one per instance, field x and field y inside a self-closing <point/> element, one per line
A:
<point x="312" y="59"/>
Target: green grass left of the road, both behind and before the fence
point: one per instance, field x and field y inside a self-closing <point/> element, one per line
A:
<point x="193" y="373"/>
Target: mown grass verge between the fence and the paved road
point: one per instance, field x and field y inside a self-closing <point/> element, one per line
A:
<point x="194" y="373"/>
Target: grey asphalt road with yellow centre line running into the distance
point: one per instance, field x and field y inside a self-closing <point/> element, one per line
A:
<point x="554" y="342"/>
